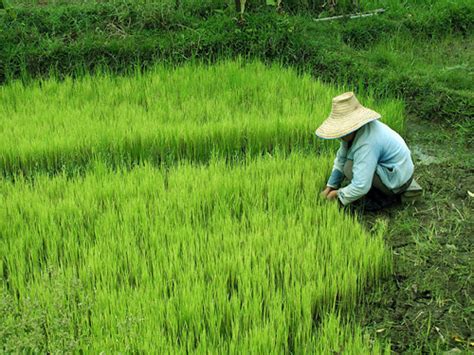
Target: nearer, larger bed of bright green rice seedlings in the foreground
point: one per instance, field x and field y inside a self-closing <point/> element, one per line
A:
<point x="214" y="258"/>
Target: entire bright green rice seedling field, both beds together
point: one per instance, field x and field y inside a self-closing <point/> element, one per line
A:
<point x="177" y="211"/>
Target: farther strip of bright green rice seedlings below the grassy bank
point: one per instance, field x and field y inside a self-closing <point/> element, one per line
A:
<point x="230" y="110"/>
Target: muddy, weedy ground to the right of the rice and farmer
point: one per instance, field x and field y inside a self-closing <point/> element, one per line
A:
<point x="426" y="305"/>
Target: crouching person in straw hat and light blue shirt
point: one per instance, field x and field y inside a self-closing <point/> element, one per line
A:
<point x="372" y="156"/>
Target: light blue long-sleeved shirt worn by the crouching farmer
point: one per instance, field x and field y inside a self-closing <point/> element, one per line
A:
<point x="376" y="148"/>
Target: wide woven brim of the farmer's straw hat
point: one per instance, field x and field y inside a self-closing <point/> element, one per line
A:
<point x="333" y="127"/>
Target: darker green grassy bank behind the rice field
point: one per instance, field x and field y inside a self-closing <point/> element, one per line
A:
<point x="73" y="39"/>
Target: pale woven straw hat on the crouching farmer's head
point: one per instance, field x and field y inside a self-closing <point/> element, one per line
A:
<point x="347" y="115"/>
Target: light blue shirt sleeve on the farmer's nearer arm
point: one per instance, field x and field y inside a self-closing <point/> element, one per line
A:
<point x="363" y="170"/>
